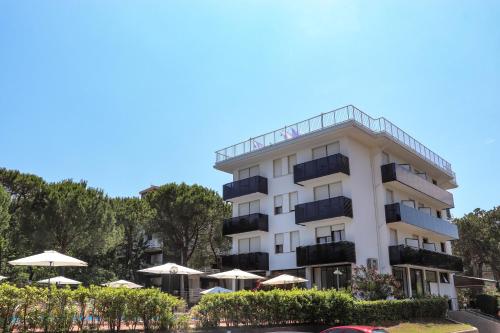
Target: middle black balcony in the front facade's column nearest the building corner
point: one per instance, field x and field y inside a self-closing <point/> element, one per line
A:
<point x="323" y="209"/>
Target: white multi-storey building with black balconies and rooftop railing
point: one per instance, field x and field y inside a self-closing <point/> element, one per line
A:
<point x="339" y="190"/>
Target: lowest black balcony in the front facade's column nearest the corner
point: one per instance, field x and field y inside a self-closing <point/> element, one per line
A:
<point x="328" y="253"/>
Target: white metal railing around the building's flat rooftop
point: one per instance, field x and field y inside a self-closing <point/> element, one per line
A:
<point x="333" y="118"/>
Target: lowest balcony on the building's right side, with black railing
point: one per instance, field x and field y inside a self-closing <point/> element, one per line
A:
<point x="407" y="255"/>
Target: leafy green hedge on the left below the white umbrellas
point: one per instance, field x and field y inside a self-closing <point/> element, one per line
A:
<point x="95" y="308"/>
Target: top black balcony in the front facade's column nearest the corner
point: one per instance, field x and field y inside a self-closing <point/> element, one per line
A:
<point x="321" y="167"/>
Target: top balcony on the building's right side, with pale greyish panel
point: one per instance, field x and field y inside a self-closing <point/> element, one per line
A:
<point x="405" y="180"/>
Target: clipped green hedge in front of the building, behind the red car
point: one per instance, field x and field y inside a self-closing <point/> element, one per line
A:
<point x="315" y="307"/>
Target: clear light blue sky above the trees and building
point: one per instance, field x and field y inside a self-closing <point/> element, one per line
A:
<point x="125" y="94"/>
